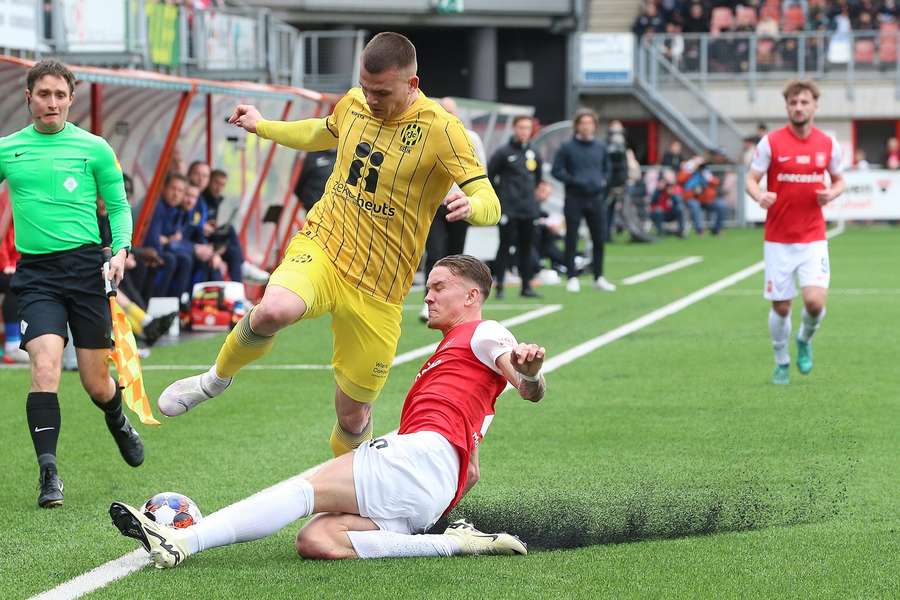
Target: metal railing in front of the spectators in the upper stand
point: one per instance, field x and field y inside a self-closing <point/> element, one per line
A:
<point x="750" y="58"/>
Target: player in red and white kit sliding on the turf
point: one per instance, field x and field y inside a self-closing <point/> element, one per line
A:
<point x="373" y="501"/>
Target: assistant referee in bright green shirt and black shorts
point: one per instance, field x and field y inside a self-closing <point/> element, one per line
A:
<point x="55" y="171"/>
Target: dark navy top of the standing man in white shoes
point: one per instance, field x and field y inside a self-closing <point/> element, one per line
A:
<point x="583" y="167"/>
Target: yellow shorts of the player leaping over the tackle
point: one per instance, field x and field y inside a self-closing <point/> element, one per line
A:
<point x="366" y="330"/>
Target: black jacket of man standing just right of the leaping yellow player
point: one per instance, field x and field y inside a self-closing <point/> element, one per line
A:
<point x="515" y="170"/>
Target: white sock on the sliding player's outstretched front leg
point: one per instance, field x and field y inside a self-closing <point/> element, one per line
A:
<point x="256" y="517"/>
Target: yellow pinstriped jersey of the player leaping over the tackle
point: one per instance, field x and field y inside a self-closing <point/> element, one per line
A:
<point x="388" y="181"/>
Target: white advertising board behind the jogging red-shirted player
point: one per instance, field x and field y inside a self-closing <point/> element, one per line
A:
<point x="869" y="195"/>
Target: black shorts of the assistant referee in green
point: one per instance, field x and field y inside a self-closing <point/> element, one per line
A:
<point x="64" y="287"/>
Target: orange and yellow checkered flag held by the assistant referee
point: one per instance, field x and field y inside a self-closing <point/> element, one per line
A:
<point x="124" y="355"/>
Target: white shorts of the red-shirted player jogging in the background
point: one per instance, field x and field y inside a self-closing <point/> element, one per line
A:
<point x="808" y="262"/>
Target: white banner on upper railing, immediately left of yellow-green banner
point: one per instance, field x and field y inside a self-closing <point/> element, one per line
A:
<point x="94" y="25"/>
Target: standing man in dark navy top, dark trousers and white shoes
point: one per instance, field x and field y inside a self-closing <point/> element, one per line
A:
<point x="583" y="166"/>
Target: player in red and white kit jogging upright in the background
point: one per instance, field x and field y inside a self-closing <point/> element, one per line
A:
<point x="795" y="160"/>
